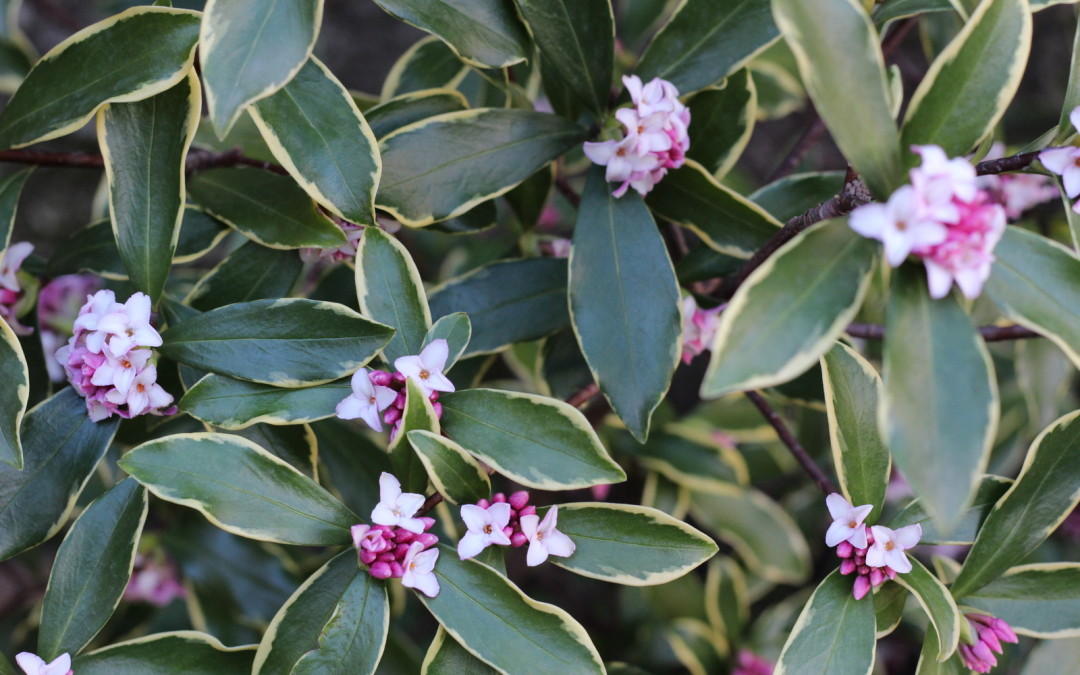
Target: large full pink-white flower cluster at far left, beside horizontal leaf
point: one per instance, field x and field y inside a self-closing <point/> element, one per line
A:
<point x="109" y="362"/>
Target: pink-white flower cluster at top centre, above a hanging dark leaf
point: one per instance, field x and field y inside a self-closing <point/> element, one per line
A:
<point x="655" y="138"/>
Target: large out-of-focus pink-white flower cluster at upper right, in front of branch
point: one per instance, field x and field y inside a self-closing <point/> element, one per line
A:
<point x="943" y="218"/>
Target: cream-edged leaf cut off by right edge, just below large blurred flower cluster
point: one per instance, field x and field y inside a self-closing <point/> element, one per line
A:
<point x="1034" y="282"/>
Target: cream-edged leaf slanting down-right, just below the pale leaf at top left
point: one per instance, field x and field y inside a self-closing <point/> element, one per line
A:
<point x="318" y="134"/>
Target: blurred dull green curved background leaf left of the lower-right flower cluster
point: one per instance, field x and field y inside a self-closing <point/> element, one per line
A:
<point x="766" y="538"/>
